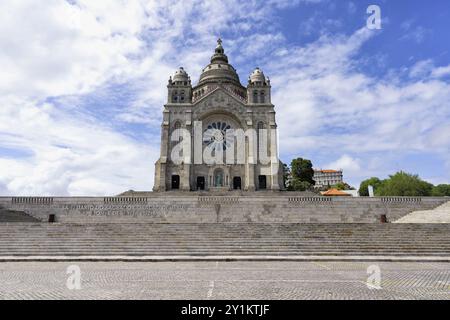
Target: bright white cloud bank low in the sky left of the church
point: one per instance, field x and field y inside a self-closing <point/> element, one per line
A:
<point x="69" y="156"/>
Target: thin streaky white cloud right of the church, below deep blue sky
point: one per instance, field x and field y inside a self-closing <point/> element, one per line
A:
<point x="326" y="105"/>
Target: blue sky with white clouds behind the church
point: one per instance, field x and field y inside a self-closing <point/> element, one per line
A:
<point x="82" y="85"/>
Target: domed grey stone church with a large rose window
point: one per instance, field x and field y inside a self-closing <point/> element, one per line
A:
<point x="219" y="102"/>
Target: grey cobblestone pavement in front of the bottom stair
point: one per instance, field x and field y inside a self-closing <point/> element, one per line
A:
<point x="225" y="280"/>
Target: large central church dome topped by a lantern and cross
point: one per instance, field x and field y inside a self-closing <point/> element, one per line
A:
<point x="219" y="70"/>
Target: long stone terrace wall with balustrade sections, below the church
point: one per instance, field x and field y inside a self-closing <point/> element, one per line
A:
<point x="178" y="207"/>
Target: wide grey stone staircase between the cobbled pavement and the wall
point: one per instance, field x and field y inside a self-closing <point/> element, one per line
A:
<point x="103" y="239"/>
